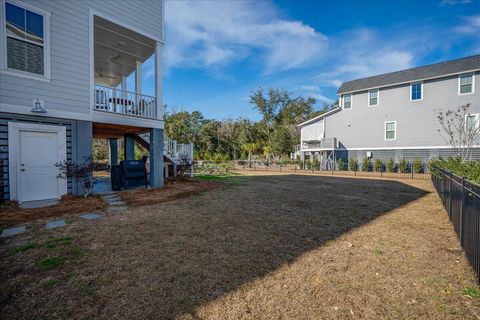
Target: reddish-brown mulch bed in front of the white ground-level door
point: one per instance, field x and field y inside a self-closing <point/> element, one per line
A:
<point x="12" y="214"/>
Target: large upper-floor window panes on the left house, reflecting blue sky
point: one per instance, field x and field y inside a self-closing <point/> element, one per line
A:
<point x="25" y="40"/>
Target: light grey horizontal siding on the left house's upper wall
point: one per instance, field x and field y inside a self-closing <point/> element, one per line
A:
<point x="69" y="89"/>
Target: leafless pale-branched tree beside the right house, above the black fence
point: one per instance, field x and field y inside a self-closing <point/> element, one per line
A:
<point x="462" y="130"/>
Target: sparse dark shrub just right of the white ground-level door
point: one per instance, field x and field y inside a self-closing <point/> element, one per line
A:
<point x="82" y="173"/>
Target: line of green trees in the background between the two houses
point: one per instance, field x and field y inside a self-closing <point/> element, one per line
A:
<point x="274" y="135"/>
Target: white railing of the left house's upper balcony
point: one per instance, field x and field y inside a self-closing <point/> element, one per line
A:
<point x="118" y="101"/>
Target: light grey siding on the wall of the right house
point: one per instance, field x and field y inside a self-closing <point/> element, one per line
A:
<point x="417" y="123"/>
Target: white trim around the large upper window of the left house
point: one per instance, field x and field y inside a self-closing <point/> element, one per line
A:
<point x="46" y="42"/>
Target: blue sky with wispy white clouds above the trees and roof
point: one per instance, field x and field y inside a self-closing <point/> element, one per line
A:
<point x="218" y="52"/>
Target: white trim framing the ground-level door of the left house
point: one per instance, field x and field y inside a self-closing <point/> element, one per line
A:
<point x="14" y="129"/>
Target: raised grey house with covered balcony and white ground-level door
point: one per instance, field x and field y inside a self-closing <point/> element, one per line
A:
<point x="63" y="80"/>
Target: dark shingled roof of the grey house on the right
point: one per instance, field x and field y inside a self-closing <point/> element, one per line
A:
<point x="420" y="73"/>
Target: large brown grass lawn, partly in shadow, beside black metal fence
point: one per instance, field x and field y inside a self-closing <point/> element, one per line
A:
<point x="261" y="247"/>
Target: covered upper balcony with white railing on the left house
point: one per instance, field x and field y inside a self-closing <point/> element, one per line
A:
<point x="125" y="68"/>
